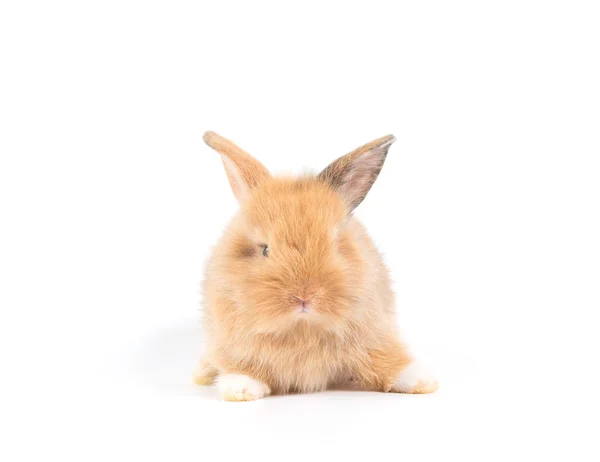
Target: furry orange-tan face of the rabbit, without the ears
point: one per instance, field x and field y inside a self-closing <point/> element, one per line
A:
<point x="294" y="261"/>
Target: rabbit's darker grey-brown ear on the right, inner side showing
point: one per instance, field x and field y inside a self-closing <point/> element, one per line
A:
<point x="353" y="174"/>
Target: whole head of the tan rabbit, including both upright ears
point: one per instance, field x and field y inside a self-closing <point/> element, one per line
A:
<point x="291" y="255"/>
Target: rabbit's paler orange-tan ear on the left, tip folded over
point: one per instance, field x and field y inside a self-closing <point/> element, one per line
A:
<point x="243" y="171"/>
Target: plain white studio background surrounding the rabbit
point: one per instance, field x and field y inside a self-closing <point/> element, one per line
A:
<point x="487" y="211"/>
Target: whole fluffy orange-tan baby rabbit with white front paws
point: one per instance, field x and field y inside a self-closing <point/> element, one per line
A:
<point x="297" y="298"/>
